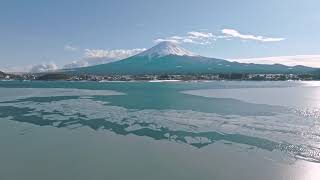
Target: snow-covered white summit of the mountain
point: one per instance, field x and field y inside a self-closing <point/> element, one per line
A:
<point x="166" y="48"/>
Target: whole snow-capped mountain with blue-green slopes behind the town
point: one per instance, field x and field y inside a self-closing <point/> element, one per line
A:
<point x="169" y="58"/>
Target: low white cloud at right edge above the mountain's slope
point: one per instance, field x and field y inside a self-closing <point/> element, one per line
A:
<point x="305" y="60"/>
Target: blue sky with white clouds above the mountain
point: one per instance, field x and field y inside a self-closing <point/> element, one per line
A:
<point x="55" y="33"/>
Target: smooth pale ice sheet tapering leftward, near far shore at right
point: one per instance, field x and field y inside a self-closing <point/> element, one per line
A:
<point x="301" y="97"/>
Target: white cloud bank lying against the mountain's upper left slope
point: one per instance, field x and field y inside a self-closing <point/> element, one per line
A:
<point x="101" y="56"/>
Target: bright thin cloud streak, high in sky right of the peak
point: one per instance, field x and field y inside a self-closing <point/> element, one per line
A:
<point x="232" y="33"/>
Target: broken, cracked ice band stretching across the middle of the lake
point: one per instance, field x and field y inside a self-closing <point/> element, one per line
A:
<point x="300" y="134"/>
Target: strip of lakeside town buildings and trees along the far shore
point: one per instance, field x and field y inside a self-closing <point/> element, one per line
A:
<point x="164" y="77"/>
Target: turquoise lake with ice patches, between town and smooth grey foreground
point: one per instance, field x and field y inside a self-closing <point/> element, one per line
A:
<point x="268" y="116"/>
